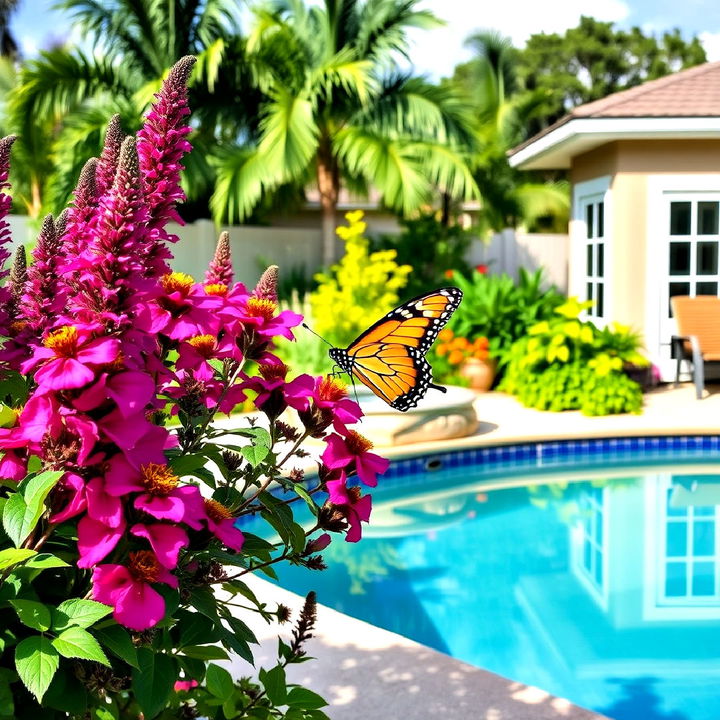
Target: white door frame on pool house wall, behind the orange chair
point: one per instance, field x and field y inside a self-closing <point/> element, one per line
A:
<point x="660" y="188"/>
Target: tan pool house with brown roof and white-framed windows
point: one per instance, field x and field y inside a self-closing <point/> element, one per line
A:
<point x="644" y="166"/>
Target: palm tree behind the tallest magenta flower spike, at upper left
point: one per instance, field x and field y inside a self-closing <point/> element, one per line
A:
<point x="136" y="42"/>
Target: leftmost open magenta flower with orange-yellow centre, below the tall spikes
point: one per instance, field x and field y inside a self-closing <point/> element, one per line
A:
<point x="68" y="357"/>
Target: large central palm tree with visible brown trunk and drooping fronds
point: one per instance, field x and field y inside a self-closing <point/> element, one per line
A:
<point x="337" y="112"/>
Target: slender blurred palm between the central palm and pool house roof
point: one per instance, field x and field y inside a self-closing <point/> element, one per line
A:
<point x="509" y="197"/>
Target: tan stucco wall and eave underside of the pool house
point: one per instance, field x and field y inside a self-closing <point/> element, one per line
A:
<point x="629" y="163"/>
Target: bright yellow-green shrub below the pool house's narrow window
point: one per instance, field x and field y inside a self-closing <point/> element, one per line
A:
<point x="567" y="364"/>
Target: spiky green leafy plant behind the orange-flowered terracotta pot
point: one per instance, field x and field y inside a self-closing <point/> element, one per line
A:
<point x="502" y="310"/>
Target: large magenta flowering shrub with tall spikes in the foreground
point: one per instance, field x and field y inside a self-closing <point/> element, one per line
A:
<point x="120" y="498"/>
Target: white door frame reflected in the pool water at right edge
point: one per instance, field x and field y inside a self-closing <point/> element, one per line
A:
<point x="656" y="605"/>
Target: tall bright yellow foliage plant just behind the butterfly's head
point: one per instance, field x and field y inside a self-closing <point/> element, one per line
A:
<point x="357" y="290"/>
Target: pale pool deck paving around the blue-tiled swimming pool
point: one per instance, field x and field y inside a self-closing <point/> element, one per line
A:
<point x="364" y="671"/>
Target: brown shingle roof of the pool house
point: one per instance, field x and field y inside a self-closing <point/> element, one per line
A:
<point x="689" y="93"/>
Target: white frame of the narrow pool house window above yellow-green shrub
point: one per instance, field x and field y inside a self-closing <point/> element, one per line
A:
<point x="595" y="191"/>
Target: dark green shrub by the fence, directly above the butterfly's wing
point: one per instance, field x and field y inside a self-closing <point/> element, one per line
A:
<point x="431" y="248"/>
